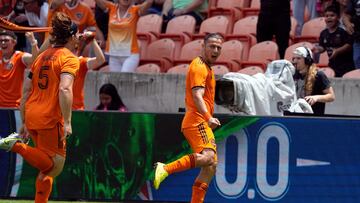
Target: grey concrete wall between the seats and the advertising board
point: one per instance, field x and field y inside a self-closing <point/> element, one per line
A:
<point x="165" y="92"/>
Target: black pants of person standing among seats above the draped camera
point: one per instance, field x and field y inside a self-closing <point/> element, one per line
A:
<point x="268" y="26"/>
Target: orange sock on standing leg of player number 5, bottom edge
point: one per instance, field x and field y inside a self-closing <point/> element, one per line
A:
<point x="43" y="189"/>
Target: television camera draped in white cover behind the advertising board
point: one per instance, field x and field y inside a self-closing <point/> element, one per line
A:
<point x="271" y="93"/>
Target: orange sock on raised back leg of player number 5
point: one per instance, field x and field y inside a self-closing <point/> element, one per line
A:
<point x="33" y="156"/>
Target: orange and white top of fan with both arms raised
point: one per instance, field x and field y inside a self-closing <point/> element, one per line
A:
<point x="122" y="40"/>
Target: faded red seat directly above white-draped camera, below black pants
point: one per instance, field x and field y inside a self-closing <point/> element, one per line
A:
<point x="261" y="54"/>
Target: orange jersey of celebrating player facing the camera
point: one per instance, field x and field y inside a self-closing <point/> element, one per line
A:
<point x="199" y="75"/>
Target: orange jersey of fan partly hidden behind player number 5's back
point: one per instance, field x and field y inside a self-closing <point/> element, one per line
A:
<point x="78" y="88"/>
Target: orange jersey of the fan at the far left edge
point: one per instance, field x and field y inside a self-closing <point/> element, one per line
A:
<point x="11" y="80"/>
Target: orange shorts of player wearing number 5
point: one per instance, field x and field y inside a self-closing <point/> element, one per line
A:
<point x="49" y="140"/>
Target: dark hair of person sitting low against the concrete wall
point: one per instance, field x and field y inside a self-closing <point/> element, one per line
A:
<point x="116" y="102"/>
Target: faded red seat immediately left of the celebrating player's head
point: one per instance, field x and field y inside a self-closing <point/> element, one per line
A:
<point x="189" y="51"/>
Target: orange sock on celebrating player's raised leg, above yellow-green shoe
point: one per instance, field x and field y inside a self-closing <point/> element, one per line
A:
<point x="182" y="164"/>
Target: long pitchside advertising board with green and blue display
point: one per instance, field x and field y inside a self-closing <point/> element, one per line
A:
<point x="262" y="159"/>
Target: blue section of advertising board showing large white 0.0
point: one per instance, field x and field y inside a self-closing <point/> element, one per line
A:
<point x="281" y="160"/>
